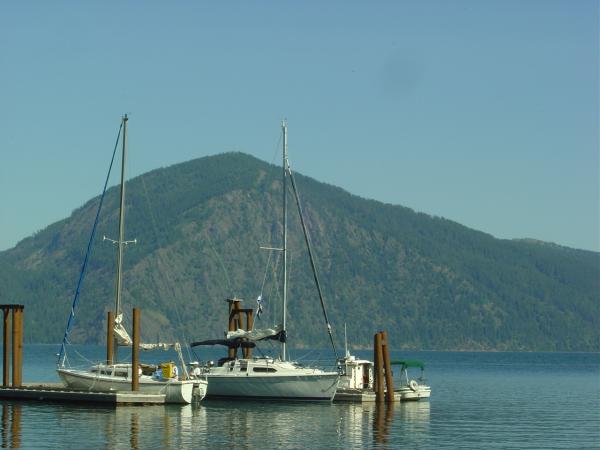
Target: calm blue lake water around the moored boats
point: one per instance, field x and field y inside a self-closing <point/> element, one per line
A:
<point x="479" y="400"/>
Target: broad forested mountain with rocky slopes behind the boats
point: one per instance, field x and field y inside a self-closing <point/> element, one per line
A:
<point x="430" y="282"/>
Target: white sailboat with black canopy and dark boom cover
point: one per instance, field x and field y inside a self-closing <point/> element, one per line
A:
<point x="266" y="377"/>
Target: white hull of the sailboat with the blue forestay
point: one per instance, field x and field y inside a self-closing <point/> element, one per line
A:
<point x="175" y="391"/>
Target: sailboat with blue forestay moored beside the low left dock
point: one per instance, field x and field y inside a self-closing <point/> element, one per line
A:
<point x="115" y="376"/>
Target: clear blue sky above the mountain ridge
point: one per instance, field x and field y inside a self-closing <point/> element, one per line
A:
<point x="483" y="112"/>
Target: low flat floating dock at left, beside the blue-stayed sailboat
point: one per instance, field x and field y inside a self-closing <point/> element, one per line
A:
<point x="56" y="392"/>
